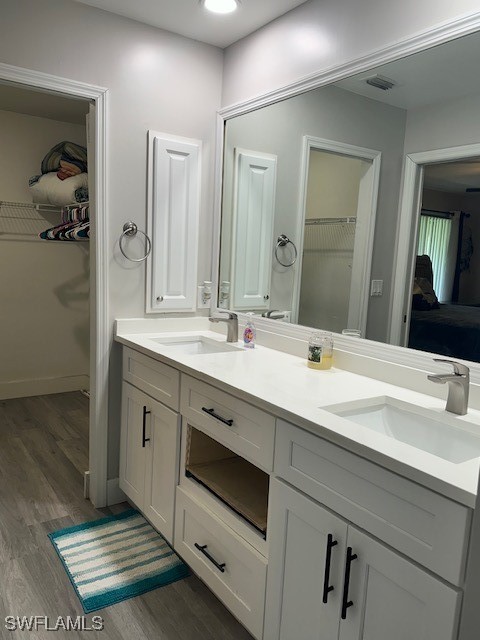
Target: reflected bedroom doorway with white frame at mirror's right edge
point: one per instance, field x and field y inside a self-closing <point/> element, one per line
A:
<point x="436" y="302"/>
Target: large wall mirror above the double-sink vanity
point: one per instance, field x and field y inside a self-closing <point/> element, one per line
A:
<point x="323" y="190"/>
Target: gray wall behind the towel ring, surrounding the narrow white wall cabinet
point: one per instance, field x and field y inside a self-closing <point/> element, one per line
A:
<point x="156" y="80"/>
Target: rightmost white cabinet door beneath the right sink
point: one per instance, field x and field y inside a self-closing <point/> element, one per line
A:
<point x="394" y="599"/>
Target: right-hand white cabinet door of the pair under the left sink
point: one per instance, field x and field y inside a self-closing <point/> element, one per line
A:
<point x="161" y="468"/>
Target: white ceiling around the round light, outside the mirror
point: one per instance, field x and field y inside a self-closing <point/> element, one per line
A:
<point x="189" y="18"/>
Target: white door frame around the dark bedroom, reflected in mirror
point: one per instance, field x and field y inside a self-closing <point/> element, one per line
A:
<point x="407" y="231"/>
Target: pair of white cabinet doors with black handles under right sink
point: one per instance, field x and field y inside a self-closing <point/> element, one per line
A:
<point x="328" y="580"/>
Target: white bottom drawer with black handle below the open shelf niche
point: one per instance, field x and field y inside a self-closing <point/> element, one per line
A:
<point x="240" y="583"/>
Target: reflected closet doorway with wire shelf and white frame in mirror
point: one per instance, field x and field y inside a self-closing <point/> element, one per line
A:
<point x="340" y="195"/>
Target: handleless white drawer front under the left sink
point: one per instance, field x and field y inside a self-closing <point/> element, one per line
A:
<point x="155" y="378"/>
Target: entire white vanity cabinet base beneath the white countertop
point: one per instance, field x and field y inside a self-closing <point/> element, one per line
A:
<point x="300" y="538"/>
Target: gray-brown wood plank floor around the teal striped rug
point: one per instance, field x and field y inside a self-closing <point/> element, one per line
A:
<point x="43" y="454"/>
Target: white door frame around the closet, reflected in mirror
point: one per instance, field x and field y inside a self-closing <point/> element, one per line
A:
<point x="364" y="233"/>
